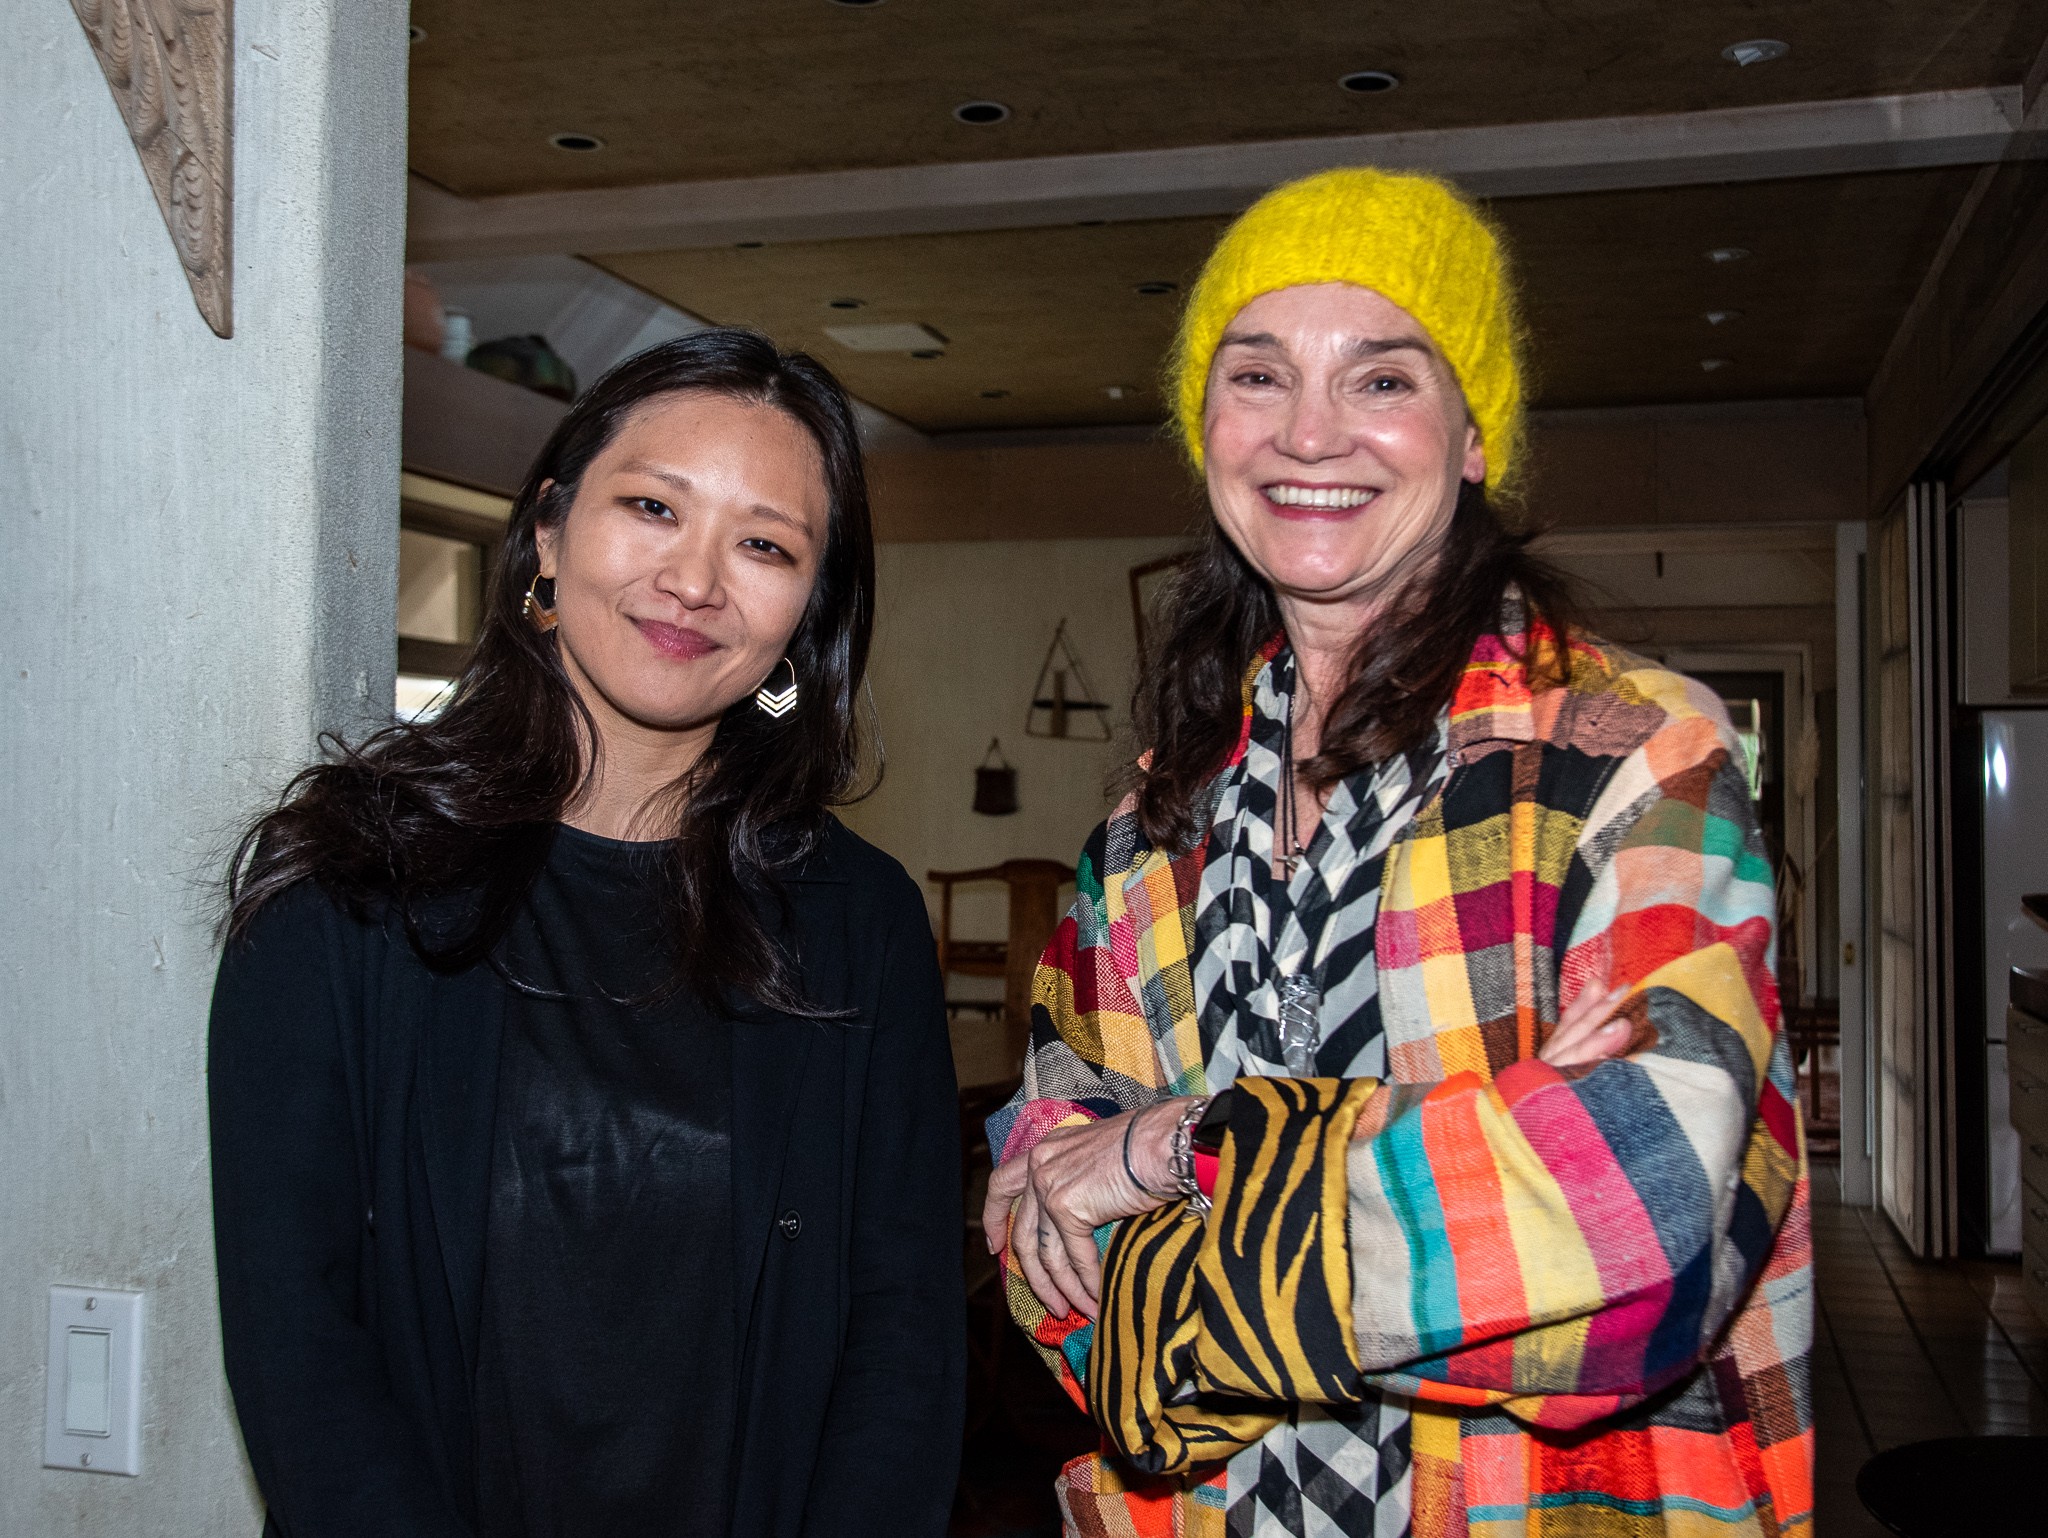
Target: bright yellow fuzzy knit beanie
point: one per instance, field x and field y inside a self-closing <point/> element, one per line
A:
<point x="1410" y="239"/>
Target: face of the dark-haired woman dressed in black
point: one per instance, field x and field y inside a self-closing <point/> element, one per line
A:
<point x="685" y="564"/>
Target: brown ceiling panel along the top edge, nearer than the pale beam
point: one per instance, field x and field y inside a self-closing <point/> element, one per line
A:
<point x="753" y="87"/>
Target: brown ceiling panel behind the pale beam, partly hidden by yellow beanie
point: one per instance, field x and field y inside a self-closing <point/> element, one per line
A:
<point x="1617" y="288"/>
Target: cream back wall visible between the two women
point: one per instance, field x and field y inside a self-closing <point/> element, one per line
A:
<point x="962" y="634"/>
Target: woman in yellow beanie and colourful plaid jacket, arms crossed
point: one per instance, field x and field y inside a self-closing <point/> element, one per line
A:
<point x="1408" y="1142"/>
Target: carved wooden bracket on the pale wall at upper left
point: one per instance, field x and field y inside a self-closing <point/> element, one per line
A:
<point x="171" y="67"/>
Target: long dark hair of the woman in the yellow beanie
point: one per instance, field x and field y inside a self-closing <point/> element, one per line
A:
<point x="1404" y="671"/>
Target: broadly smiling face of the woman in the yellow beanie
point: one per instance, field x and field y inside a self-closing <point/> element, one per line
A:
<point x="1334" y="439"/>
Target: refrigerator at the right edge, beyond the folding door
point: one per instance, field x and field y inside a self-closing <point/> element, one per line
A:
<point x="2014" y="861"/>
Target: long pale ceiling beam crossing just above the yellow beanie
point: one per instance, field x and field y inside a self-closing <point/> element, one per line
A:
<point x="1943" y="128"/>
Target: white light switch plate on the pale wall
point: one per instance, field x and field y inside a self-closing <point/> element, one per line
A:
<point x="93" y="1387"/>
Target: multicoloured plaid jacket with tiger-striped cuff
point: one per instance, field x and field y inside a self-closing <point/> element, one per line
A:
<point x="1592" y="1289"/>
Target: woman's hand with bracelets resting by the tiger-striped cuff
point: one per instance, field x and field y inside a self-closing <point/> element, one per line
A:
<point x="1070" y="1187"/>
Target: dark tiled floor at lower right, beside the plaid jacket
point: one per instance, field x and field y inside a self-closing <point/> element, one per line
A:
<point x="1910" y="1351"/>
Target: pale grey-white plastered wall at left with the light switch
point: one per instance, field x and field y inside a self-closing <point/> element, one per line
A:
<point x="200" y="552"/>
